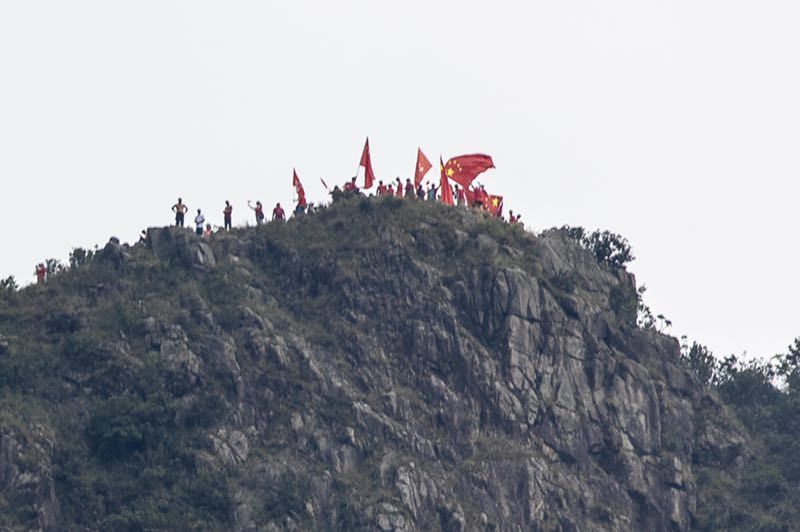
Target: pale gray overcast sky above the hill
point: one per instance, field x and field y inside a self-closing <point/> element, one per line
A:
<point x="676" y="124"/>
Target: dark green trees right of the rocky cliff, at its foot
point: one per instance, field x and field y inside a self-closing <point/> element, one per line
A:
<point x="765" y="396"/>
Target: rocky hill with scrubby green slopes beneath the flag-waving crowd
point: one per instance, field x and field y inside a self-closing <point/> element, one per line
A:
<point x="379" y="365"/>
